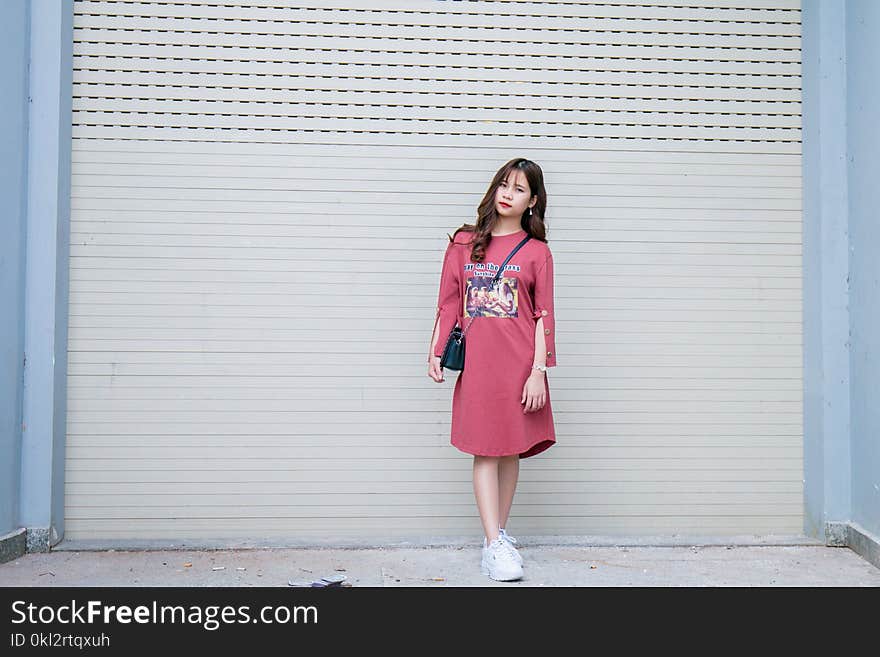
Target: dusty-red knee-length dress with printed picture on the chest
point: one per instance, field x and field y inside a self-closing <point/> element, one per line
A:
<point x="487" y="414"/>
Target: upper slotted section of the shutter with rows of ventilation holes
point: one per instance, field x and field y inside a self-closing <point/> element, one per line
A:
<point x="559" y="72"/>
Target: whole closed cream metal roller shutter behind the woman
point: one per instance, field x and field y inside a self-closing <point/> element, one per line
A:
<point x="261" y="192"/>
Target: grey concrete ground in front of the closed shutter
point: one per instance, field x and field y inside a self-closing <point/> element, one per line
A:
<point x="548" y="561"/>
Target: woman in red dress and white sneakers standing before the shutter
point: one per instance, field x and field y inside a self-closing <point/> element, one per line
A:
<point x="501" y="409"/>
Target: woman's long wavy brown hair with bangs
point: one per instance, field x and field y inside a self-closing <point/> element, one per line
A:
<point x="487" y="218"/>
